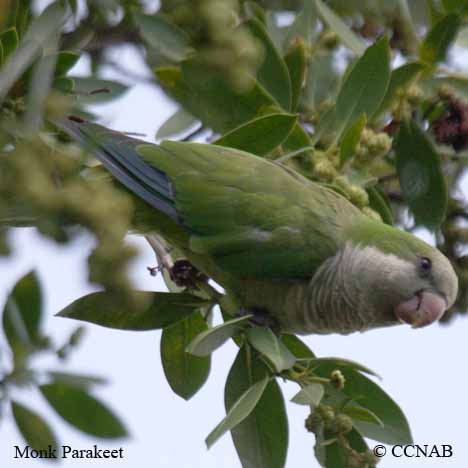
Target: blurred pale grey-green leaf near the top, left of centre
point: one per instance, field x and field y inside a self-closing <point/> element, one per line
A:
<point x="164" y="36"/>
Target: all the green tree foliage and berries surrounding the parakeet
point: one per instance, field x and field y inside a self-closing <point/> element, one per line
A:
<point x="364" y="97"/>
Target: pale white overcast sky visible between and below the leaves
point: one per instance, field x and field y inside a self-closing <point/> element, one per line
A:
<point x="423" y="370"/>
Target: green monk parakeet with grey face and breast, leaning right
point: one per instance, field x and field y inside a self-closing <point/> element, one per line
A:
<point x="278" y="242"/>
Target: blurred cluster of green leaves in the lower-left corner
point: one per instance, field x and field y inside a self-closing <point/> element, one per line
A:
<point x="68" y="394"/>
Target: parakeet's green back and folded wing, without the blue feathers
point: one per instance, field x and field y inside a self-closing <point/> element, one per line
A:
<point x="252" y="216"/>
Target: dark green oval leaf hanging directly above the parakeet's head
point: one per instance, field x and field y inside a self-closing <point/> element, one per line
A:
<point x="421" y="179"/>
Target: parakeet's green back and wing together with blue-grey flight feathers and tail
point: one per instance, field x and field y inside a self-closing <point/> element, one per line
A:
<point x="252" y="217"/>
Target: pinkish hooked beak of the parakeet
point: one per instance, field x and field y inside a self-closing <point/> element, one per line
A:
<point x="424" y="308"/>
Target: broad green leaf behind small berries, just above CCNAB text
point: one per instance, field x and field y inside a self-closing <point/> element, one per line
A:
<point x="370" y="396"/>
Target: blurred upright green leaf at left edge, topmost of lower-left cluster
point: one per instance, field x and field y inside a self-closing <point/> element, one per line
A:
<point x="22" y="313"/>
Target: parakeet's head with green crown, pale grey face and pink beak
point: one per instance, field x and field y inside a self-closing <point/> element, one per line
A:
<point x="414" y="281"/>
